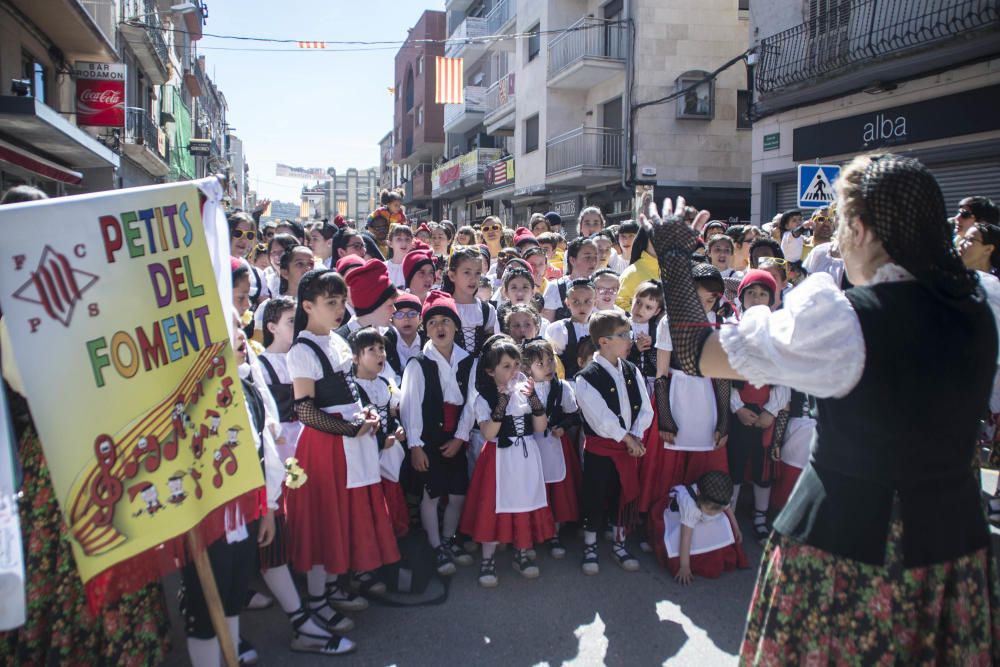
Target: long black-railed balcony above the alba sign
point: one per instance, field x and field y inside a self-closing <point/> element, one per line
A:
<point x="859" y="42"/>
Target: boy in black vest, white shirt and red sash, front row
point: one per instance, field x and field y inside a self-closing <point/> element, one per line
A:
<point x="616" y="412"/>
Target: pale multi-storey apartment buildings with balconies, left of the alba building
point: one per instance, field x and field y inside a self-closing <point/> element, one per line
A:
<point x="547" y="122"/>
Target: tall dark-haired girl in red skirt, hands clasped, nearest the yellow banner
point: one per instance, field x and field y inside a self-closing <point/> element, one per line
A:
<point x="337" y="517"/>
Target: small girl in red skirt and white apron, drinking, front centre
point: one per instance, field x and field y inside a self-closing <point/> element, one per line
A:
<point x="506" y="499"/>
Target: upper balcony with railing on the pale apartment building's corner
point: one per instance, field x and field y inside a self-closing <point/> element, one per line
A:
<point x="590" y="52"/>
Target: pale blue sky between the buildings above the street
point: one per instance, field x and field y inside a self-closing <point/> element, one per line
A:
<point x="306" y="108"/>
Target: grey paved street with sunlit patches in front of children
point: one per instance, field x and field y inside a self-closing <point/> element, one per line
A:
<point x="562" y="618"/>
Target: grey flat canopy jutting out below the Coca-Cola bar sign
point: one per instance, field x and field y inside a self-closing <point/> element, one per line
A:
<point x="37" y="128"/>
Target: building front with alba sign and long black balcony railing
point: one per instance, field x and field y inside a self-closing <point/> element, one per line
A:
<point x="836" y="79"/>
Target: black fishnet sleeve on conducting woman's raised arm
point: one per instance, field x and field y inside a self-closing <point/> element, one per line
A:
<point x="673" y="241"/>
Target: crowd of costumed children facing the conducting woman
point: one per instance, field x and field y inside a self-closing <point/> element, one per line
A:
<point x="500" y="394"/>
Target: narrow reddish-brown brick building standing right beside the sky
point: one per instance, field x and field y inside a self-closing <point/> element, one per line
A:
<point x="418" y="124"/>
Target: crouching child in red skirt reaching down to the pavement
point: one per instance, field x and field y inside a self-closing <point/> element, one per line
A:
<point x="697" y="531"/>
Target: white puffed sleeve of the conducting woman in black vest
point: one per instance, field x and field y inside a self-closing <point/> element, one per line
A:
<point x="814" y="344"/>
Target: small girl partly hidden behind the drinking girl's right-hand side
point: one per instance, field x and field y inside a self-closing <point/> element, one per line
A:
<point x="560" y="458"/>
